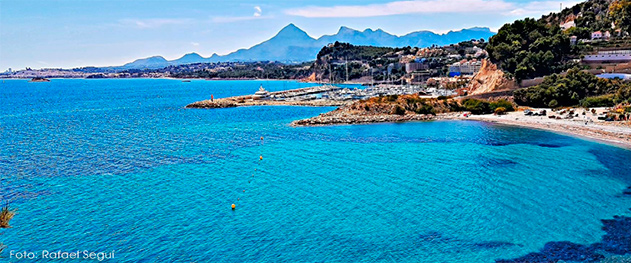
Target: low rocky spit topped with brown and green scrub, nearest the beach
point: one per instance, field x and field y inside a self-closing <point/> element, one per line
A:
<point x="382" y="109"/>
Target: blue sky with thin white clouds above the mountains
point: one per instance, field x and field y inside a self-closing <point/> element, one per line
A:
<point x="77" y="33"/>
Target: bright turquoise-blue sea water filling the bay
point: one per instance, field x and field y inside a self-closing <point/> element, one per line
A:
<point x="121" y="165"/>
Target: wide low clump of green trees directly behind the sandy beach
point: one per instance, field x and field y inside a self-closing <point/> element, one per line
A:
<point x="570" y="90"/>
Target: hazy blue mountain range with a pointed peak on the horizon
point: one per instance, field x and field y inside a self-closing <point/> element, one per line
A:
<point x="292" y="44"/>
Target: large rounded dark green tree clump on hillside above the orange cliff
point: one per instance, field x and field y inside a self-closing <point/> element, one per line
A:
<point x="529" y="48"/>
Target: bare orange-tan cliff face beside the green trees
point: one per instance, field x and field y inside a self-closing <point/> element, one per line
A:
<point x="490" y="79"/>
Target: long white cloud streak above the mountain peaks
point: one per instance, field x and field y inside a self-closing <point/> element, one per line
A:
<point x="431" y="7"/>
